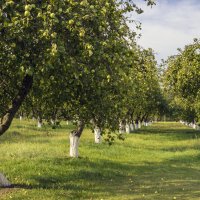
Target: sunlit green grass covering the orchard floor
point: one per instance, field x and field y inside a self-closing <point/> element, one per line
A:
<point x="157" y="162"/>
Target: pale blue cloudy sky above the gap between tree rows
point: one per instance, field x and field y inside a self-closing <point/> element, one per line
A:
<point x="168" y="25"/>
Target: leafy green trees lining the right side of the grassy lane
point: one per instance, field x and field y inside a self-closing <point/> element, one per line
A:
<point x="182" y="83"/>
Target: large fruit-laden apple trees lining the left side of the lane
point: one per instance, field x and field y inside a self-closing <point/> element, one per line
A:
<point x="75" y="60"/>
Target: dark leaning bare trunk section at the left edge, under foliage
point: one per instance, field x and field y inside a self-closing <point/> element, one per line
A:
<point x="16" y="103"/>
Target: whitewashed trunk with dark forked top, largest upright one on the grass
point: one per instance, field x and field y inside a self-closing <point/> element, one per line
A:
<point x="74" y="140"/>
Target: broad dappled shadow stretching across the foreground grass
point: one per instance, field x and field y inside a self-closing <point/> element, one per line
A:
<point x="112" y="179"/>
